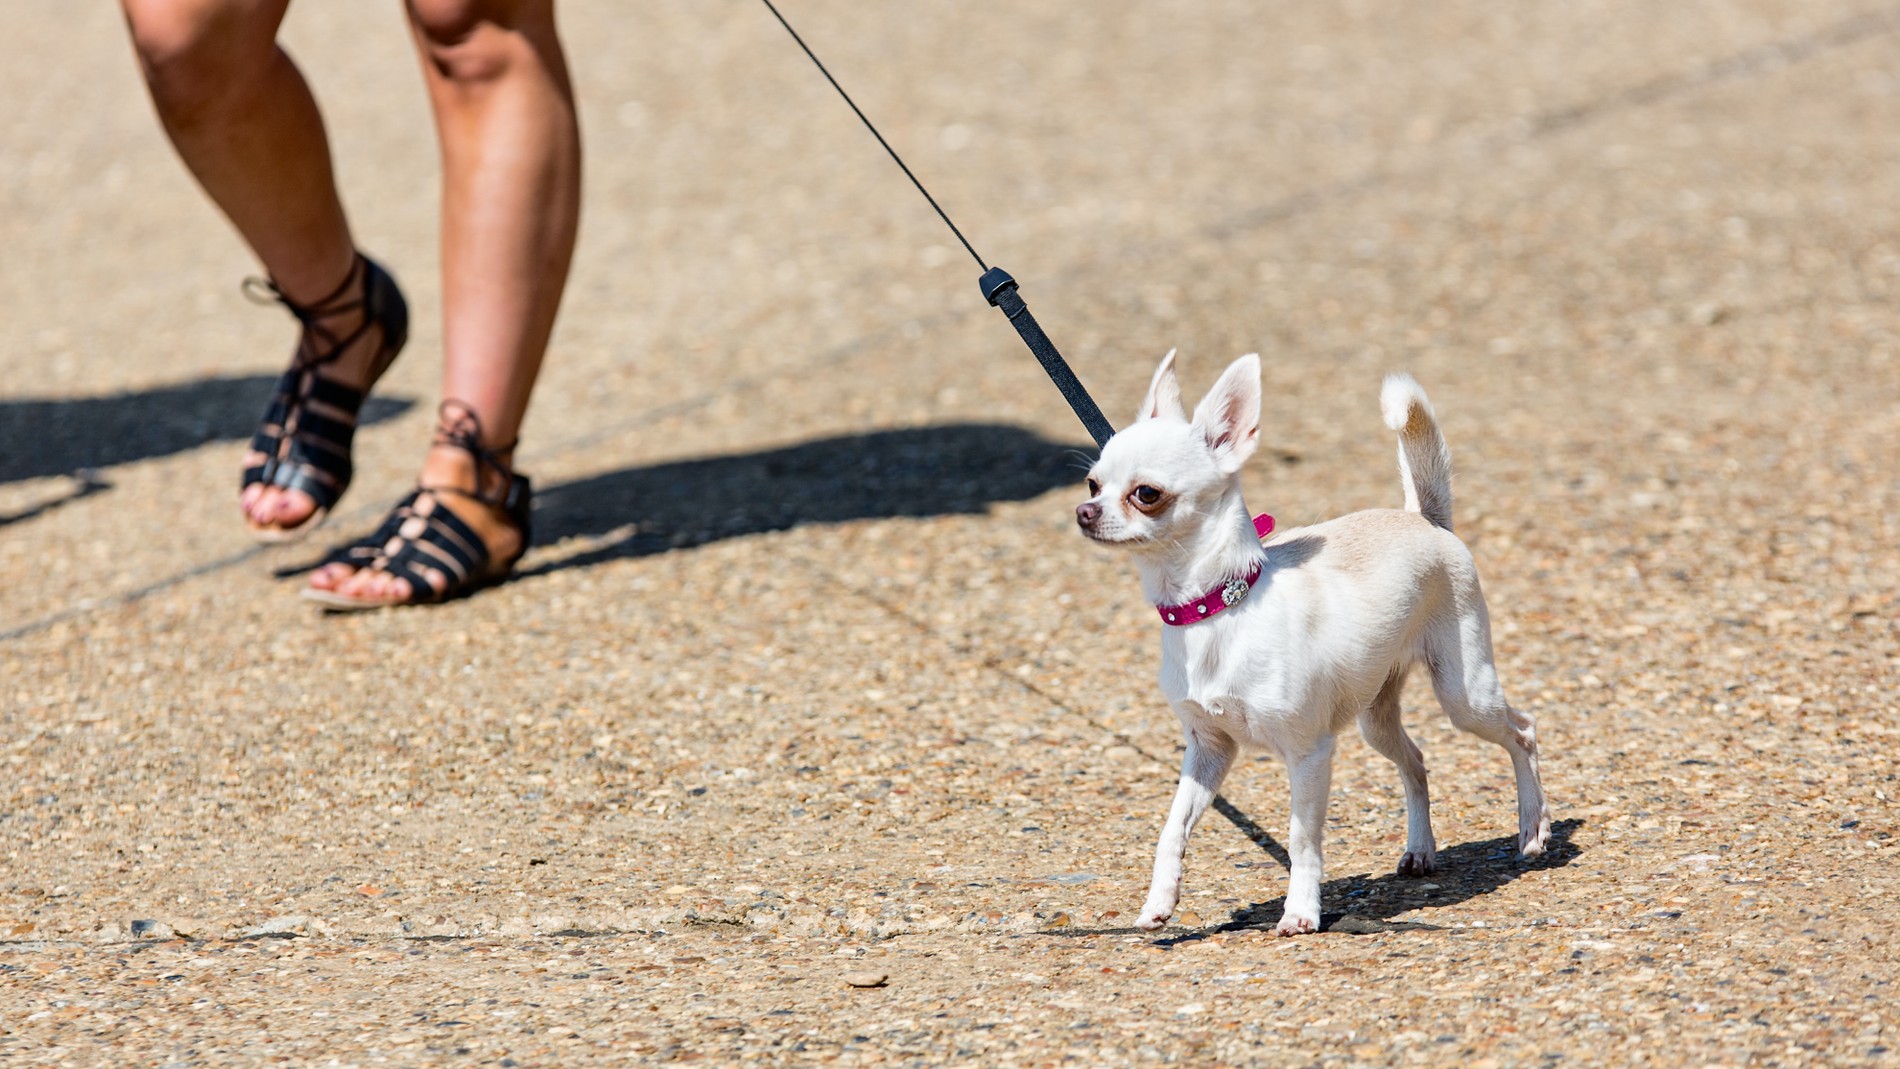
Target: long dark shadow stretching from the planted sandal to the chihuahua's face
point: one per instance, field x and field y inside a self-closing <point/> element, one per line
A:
<point x="917" y="472"/>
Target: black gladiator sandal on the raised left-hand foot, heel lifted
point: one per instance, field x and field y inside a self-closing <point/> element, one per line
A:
<point x="305" y="436"/>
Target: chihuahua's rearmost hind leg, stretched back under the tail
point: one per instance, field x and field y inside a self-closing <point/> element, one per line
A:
<point x="1466" y="683"/>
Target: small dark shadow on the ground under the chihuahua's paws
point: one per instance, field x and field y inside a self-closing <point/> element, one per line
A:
<point x="1371" y="905"/>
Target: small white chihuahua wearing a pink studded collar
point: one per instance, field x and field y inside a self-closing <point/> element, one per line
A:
<point x="1282" y="647"/>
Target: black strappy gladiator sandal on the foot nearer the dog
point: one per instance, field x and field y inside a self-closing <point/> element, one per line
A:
<point x="427" y="544"/>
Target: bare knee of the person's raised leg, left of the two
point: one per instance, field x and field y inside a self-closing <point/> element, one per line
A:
<point x="193" y="54"/>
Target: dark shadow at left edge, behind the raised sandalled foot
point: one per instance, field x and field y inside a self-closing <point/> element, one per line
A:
<point x="64" y="438"/>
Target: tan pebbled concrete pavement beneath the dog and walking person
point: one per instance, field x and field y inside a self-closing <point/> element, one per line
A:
<point x="810" y="677"/>
